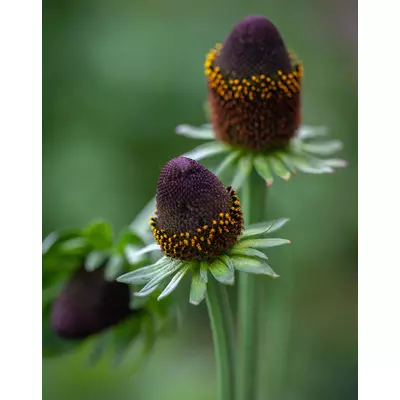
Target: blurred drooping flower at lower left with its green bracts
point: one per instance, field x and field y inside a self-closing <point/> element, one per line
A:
<point x="81" y="299"/>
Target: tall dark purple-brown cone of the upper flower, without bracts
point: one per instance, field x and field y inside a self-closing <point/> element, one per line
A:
<point x="254" y="87"/>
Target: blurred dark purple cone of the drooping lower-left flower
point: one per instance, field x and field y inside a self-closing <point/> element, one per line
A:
<point x="89" y="304"/>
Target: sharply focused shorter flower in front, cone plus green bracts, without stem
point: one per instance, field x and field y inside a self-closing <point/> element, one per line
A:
<point x="199" y="228"/>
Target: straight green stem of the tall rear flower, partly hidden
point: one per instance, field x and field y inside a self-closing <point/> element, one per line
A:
<point x="247" y="320"/>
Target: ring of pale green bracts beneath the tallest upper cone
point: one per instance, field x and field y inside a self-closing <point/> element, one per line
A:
<point x="302" y="154"/>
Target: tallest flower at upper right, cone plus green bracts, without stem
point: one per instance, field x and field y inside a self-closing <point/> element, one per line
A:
<point x="254" y="88"/>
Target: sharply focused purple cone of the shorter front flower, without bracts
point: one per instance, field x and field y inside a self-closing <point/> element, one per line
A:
<point x="197" y="218"/>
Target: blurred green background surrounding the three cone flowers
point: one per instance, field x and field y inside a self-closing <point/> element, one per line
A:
<point x="118" y="76"/>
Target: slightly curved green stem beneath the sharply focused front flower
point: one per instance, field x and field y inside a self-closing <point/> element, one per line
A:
<point x="223" y="336"/>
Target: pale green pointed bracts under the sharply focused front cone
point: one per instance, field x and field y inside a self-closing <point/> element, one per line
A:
<point x="164" y="275"/>
